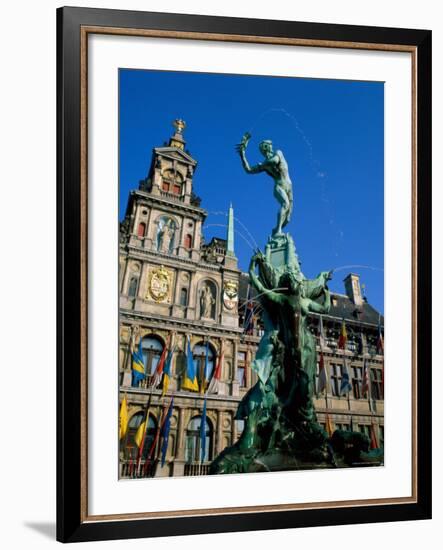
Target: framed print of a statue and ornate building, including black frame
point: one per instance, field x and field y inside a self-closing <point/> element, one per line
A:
<point x="244" y="274"/>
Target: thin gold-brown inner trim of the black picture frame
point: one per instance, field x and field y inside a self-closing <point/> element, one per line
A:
<point x="84" y="31"/>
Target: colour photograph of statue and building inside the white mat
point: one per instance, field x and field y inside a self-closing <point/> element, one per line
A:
<point x="251" y="274"/>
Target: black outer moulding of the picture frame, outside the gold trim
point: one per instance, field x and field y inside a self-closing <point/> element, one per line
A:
<point x="72" y="523"/>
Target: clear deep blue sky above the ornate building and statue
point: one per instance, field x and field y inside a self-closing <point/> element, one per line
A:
<point x="330" y="131"/>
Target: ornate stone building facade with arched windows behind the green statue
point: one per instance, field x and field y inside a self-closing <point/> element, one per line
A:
<point x="174" y="287"/>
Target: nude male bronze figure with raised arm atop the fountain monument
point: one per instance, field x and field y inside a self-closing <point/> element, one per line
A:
<point x="275" y="166"/>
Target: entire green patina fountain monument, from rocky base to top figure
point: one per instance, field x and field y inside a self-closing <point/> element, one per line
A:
<point x="281" y="431"/>
